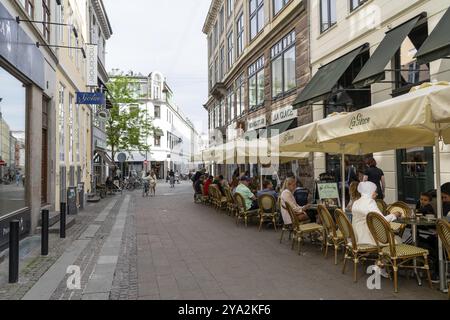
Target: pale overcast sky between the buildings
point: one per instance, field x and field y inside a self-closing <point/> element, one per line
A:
<point x="165" y="36"/>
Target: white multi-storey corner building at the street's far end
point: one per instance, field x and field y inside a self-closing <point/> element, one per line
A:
<point x="173" y="140"/>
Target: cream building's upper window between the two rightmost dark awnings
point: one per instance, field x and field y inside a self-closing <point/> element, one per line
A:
<point x="409" y="72"/>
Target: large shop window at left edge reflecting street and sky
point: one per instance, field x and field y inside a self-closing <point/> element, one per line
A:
<point x="13" y="151"/>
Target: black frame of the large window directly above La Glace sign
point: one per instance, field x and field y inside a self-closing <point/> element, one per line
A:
<point x="290" y="40"/>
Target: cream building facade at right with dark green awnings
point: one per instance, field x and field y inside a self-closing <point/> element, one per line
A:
<point x="373" y="44"/>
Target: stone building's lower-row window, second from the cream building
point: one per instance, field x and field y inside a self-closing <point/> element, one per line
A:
<point x="256" y="84"/>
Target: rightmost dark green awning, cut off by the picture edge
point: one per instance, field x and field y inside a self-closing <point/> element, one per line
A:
<point x="437" y="45"/>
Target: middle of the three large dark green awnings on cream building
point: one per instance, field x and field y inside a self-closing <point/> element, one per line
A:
<point x="373" y="70"/>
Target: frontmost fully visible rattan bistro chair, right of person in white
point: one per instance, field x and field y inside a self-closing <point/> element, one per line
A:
<point x="392" y="254"/>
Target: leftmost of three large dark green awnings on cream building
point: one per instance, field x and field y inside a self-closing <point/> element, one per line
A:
<point x="326" y="79"/>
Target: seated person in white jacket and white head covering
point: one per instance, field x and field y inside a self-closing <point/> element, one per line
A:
<point x="362" y="207"/>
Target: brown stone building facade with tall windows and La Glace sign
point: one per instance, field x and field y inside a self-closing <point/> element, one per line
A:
<point x="258" y="61"/>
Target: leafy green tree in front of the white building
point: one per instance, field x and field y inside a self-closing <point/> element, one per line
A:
<point x="129" y="125"/>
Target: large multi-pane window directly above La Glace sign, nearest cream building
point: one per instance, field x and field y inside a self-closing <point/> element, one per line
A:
<point x="283" y="66"/>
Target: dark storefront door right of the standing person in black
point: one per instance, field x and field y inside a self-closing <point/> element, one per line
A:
<point x="415" y="169"/>
